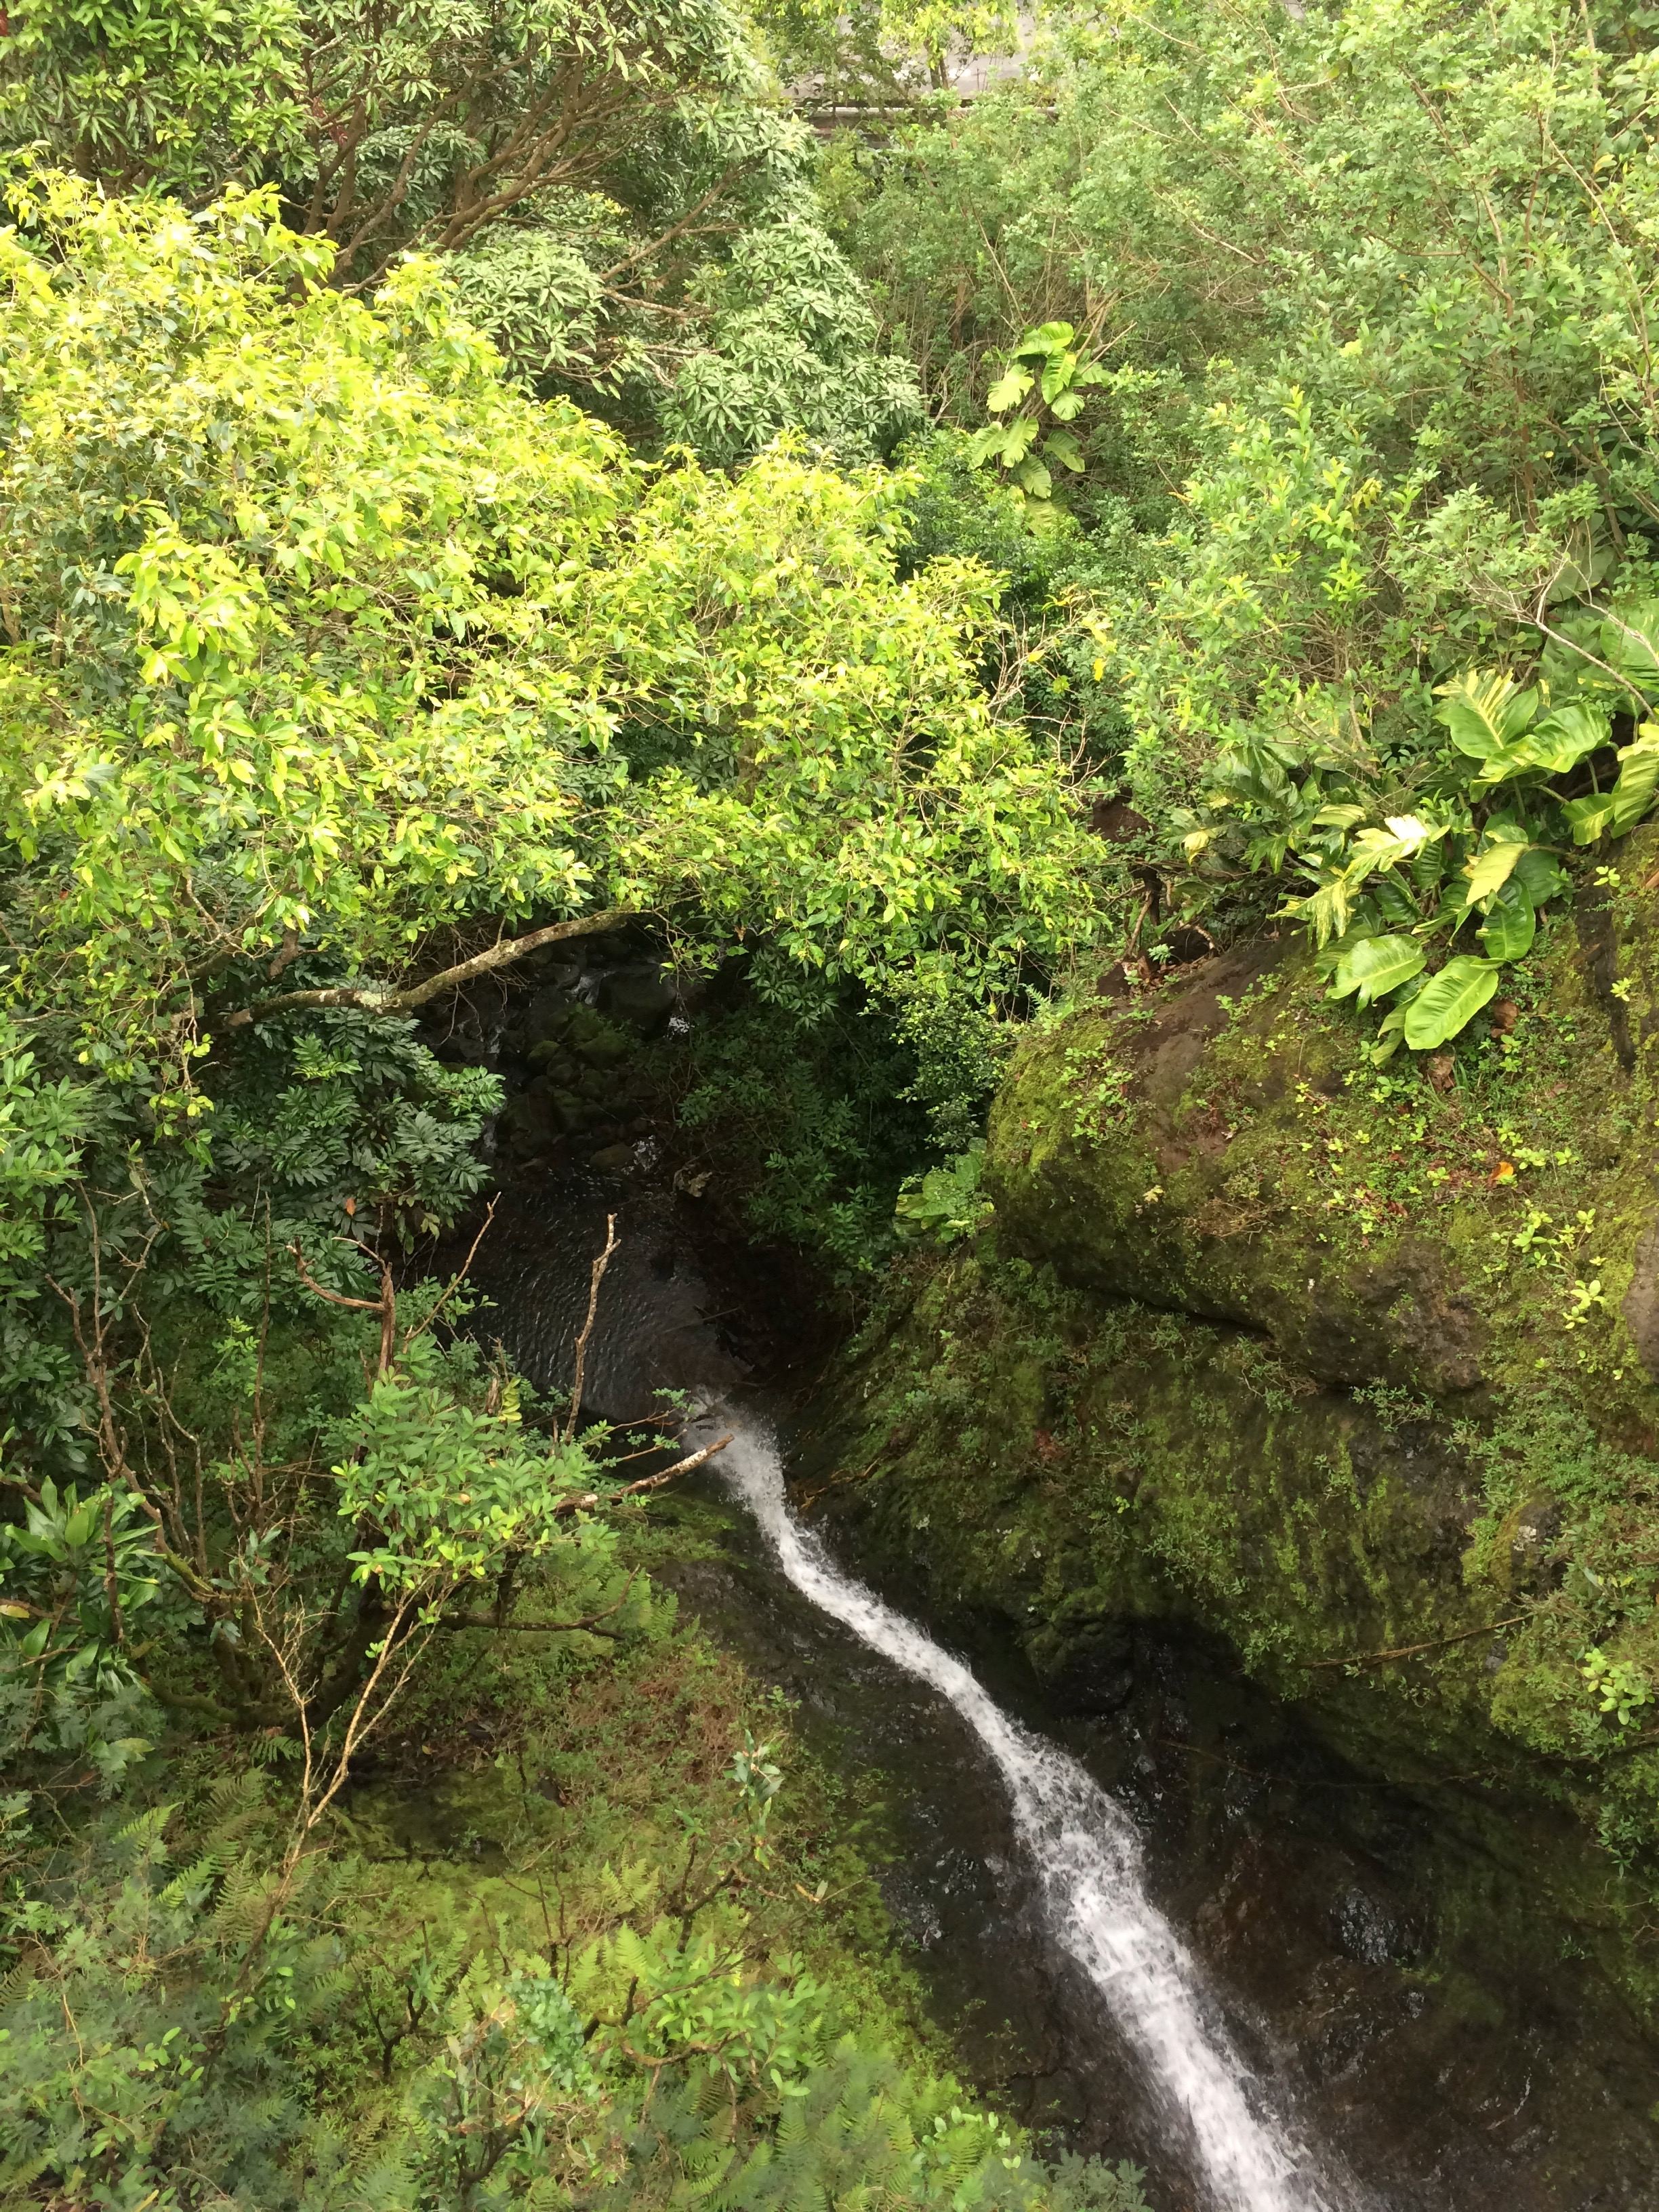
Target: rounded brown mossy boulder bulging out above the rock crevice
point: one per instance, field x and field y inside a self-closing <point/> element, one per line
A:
<point x="1158" y="1151"/>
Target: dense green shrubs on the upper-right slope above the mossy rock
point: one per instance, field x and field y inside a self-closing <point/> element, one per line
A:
<point x="1370" y="439"/>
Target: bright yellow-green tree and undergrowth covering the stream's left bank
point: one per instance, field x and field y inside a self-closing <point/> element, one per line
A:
<point x="340" y="669"/>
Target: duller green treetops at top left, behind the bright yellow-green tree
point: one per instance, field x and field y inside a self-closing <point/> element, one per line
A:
<point x="623" y="200"/>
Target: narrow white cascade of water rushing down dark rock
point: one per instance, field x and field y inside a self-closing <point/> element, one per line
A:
<point x="1089" y="1859"/>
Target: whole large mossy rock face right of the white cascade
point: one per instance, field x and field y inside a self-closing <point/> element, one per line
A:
<point x="1348" y="1366"/>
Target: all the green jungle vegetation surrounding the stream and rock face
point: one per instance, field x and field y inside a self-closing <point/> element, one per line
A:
<point x="477" y="474"/>
